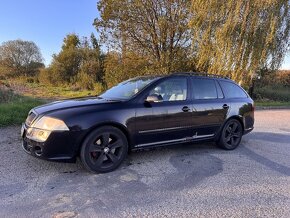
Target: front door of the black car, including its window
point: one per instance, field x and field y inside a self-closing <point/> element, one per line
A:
<point x="168" y="120"/>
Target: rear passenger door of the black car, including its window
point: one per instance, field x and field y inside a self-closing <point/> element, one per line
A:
<point x="209" y="107"/>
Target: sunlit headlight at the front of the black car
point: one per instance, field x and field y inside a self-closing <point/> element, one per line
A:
<point x="51" y="124"/>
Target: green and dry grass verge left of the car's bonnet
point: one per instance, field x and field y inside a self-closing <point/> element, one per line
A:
<point x="17" y="97"/>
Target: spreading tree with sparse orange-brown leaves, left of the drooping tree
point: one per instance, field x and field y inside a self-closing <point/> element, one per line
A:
<point x="154" y="29"/>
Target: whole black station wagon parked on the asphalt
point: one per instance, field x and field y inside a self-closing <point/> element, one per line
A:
<point x="139" y="113"/>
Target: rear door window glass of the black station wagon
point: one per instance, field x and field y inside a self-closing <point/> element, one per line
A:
<point x="204" y="89"/>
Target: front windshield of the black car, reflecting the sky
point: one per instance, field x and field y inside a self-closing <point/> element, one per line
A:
<point x="128" y="88"/>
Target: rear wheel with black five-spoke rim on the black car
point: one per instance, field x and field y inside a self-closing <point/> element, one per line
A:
<point x="231" y="135"/>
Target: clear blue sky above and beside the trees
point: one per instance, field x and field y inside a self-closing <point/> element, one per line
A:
<point x="47" y="22"/>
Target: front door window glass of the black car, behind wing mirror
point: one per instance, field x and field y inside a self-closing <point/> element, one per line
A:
<point x="173" y="89"/>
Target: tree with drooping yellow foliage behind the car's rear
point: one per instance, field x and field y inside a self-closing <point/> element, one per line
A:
<point x="240" y="37"/>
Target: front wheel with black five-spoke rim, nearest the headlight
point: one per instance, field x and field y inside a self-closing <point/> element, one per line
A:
<point x="104" y="149"/>
